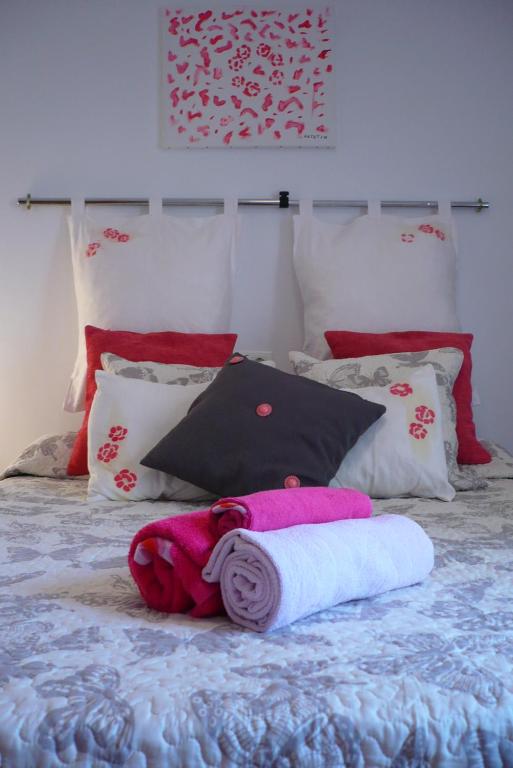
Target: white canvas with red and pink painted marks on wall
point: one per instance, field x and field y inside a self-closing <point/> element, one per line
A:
<point x="247" y="78"/>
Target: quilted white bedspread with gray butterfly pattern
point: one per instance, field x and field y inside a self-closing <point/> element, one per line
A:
<point x="89" y="676"/>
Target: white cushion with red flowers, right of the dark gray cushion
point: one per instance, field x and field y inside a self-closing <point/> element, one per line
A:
<point x="402" y="454"/>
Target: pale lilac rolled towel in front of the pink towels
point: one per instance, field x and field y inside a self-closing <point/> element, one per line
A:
<point x="270" y="579"/>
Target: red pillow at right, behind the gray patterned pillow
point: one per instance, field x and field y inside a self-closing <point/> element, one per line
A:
<point x="345" y="344"/>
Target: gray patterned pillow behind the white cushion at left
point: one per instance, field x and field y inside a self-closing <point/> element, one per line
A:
<point x="161" y="373"/>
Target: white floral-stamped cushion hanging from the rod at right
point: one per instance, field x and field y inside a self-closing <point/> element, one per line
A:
<point x="377" y="273"/>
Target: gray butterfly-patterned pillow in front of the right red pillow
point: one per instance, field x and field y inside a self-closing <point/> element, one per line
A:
<point x="382" y="370"/>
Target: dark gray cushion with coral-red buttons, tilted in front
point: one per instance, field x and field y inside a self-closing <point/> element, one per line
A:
<point x="256" y="428"/>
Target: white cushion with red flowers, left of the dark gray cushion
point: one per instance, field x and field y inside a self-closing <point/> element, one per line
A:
<point x="128" y="417"/>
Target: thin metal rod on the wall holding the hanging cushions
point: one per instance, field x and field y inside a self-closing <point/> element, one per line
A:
<point x="282" y="201"/>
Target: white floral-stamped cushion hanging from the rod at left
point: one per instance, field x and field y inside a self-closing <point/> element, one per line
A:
<point x="150" y="273"/>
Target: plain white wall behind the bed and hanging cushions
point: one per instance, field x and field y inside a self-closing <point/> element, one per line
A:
<point x="425" y="108"/>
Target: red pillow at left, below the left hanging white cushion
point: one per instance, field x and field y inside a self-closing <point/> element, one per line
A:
<point x="208" y="349"/>
